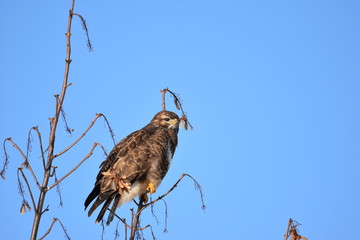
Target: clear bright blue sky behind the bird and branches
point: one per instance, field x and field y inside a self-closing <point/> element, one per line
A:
<point x="271" y="88"/>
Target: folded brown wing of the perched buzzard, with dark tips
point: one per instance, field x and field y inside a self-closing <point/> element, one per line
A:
<point x="126" y="163"/>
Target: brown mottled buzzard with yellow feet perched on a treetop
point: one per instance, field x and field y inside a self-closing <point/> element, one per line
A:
<point x="136" y="165"/>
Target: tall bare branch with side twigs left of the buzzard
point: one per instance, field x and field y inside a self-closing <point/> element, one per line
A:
<point x="48" y="161"/>
